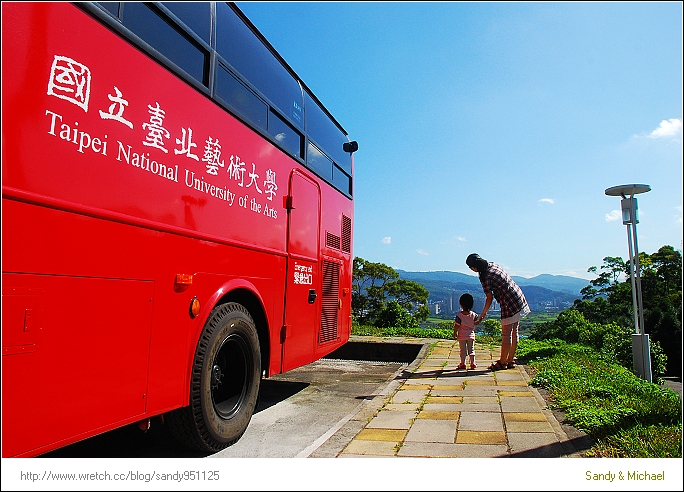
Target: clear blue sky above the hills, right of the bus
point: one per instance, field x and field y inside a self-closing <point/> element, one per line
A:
<point x="495" y="128"/>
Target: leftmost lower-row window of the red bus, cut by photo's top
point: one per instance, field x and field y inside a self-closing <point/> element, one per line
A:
<point x="152" y="28"/>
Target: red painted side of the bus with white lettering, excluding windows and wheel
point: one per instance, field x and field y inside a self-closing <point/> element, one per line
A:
<point x="118" y="176"/>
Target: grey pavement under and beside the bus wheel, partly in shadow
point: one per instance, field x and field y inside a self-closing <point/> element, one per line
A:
<point x="296" y="414"/>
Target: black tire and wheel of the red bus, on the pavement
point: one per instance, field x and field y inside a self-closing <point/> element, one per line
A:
<point x="224" y="387"/>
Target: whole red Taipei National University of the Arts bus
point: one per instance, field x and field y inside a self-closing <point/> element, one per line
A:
<point x="177" y="211"/>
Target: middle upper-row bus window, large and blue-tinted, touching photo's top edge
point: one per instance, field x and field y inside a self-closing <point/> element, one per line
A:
<point x="249" y="57"/>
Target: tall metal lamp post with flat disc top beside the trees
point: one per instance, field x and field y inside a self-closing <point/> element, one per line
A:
<point x="640" y="345"/>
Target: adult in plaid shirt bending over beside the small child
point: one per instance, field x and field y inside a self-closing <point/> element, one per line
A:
<point x="497" y="284"/>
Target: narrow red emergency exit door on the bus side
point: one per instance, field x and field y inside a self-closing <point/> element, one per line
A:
<point x="303" y="291"/>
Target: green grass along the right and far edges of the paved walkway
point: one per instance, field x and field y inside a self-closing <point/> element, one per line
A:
<point x="627" y="417"/>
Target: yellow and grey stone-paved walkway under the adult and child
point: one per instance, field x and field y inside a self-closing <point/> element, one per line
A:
<point x="436" y="410"/>
